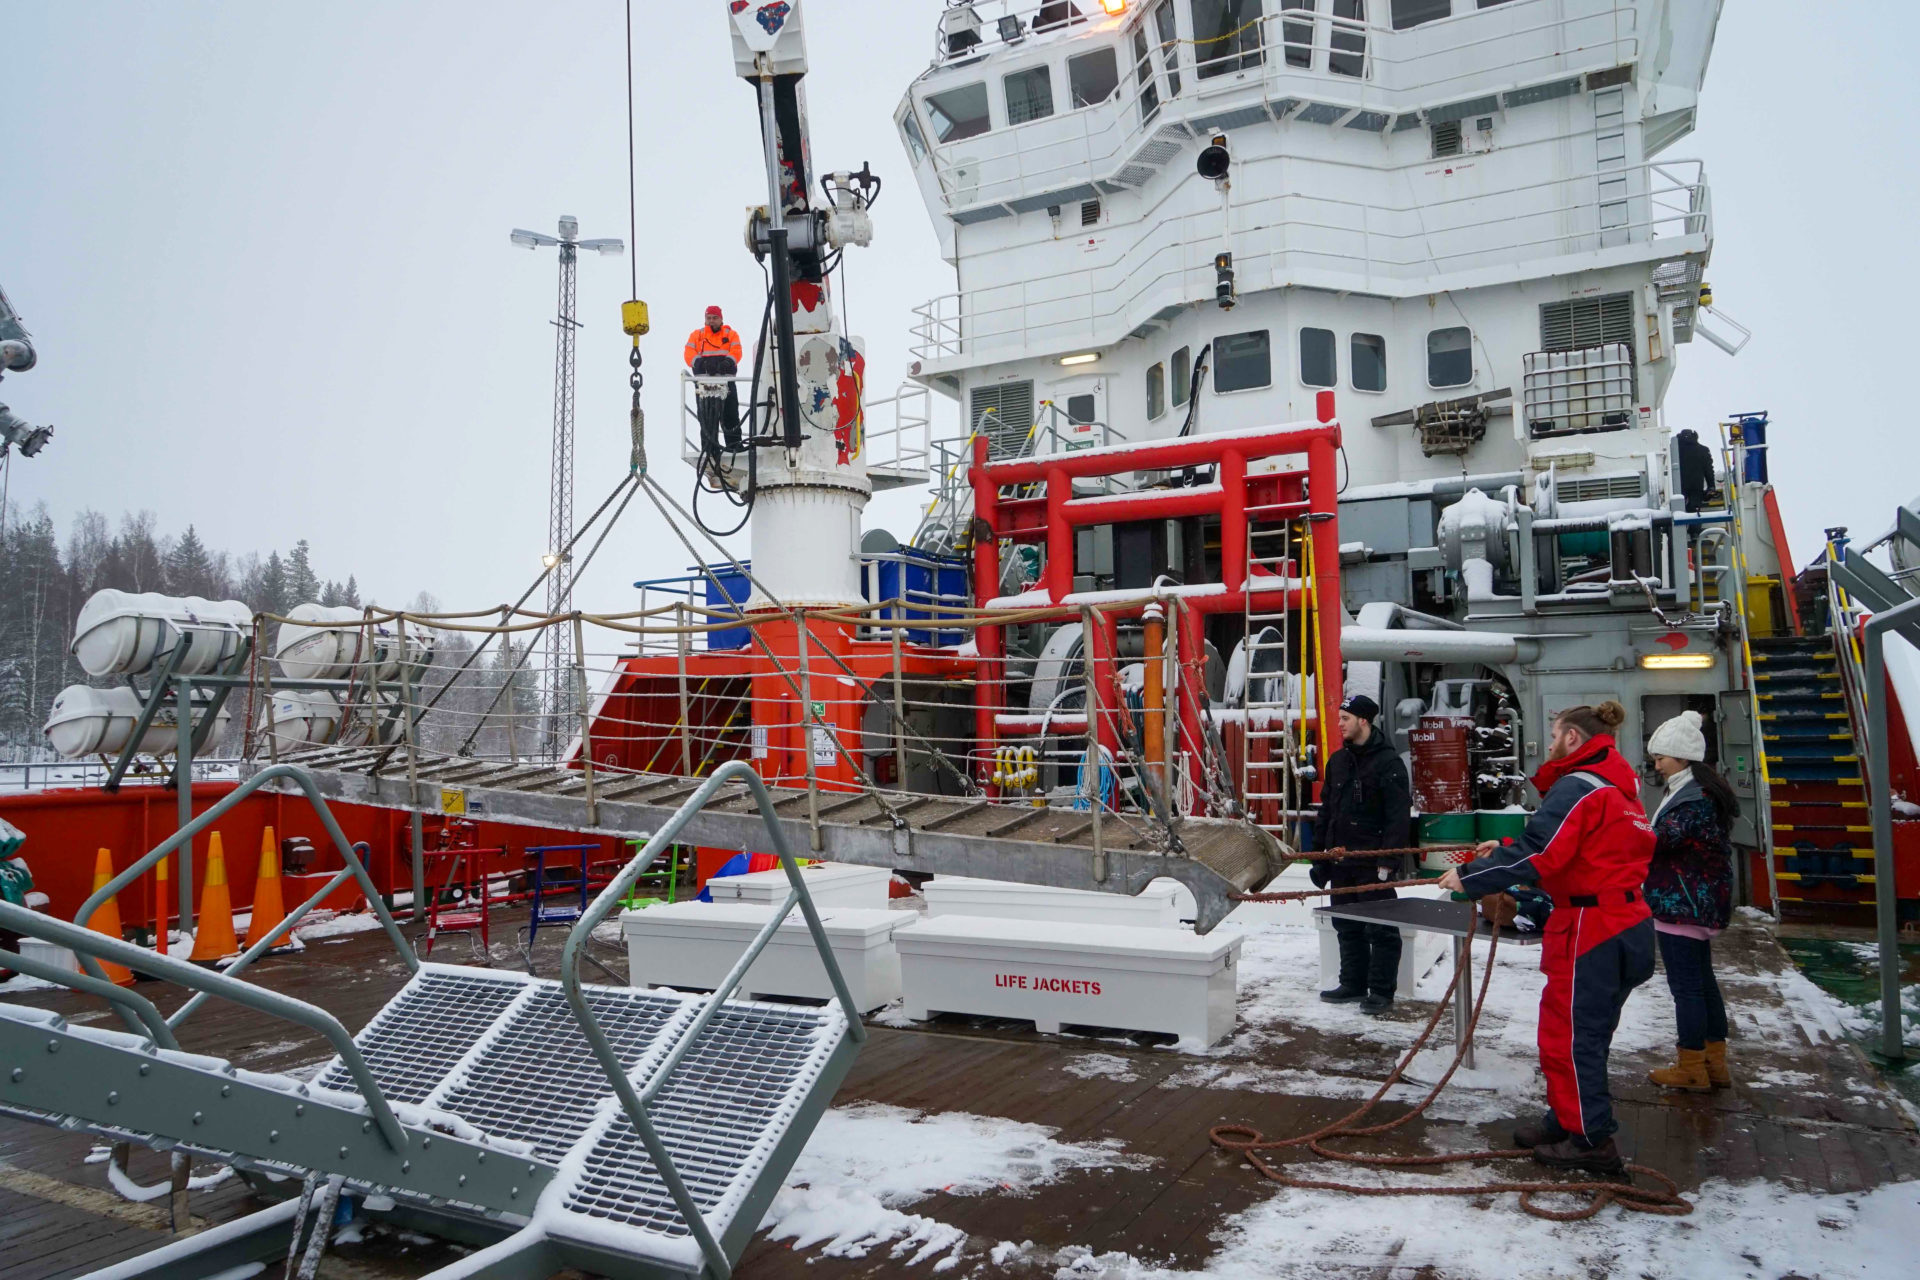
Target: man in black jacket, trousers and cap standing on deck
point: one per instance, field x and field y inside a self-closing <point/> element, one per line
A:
<point x="1366" y="803"/>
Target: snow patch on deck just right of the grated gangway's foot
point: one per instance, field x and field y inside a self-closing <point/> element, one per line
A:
<point x="867" y="1162"/>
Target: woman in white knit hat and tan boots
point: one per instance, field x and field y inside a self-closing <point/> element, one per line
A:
<point x="1691" y="891"/>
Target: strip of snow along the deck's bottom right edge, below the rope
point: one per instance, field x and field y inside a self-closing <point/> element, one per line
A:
<point x="1750" y="1231"/>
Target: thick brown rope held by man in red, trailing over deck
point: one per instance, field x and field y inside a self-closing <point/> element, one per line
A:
<point x="1251" y="1143"/>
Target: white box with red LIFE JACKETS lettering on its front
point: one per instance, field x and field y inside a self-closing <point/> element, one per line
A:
<point x="1059" y="974"/>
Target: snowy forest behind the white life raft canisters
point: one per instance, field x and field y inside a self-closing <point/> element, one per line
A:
<point x="45" y="581"/>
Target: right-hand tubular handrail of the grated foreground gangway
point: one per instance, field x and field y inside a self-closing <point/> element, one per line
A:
<point x="636" y="1102"/>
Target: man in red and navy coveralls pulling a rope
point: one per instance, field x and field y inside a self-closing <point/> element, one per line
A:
<point x="1589" y="847"/>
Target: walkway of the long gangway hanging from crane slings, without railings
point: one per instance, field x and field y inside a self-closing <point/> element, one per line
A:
<point x="948" y="836"/>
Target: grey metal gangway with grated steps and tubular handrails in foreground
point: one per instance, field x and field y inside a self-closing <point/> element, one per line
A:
<point x="556" y="1124"/>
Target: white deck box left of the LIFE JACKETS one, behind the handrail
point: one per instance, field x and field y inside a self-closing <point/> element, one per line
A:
<point x="696" y="945"/>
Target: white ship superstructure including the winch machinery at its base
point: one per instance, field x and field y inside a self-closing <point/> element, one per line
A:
<point x="1458" y="218"/>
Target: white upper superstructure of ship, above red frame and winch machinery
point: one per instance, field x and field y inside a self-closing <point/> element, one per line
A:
<point x="1422" y="195"/>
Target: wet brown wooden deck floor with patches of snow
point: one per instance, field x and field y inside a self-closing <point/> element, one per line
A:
<point x="984" y="1149"/>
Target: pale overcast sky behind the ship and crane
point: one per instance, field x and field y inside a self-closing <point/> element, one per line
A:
<point x="264" y="256"/>
